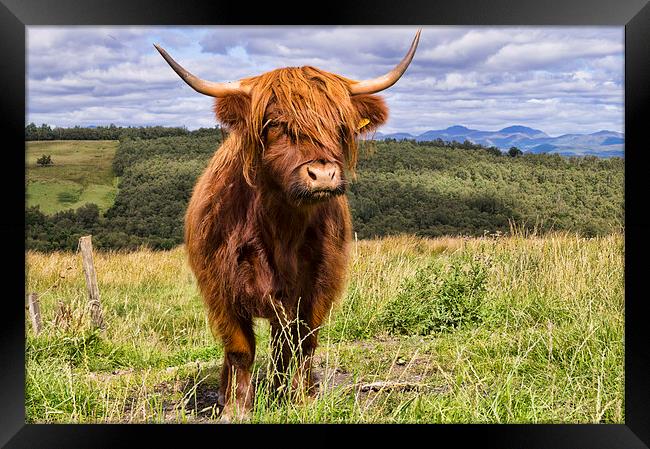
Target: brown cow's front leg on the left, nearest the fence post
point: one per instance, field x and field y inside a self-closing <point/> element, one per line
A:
<point x="236" y="389"/>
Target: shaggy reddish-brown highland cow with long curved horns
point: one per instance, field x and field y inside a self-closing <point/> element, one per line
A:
<point x="267" y="228"/>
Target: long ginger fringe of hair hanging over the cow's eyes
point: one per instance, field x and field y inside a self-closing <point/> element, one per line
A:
<point x="315" y="105"/>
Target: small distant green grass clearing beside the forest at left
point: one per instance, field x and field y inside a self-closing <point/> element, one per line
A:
<point x="81" y="174"/>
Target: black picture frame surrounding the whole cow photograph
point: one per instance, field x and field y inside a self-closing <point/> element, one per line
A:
<point x="634" y="15"/>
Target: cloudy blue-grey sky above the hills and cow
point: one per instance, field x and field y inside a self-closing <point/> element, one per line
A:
<point x="557" y="79"/>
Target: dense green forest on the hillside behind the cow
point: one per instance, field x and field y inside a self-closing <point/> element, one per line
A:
<point x="424" y="188"/>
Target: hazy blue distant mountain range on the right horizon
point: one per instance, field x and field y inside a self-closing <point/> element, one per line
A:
<point x="602" y="143"/>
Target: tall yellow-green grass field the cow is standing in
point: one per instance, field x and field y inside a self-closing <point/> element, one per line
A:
<point x="520" y="329"/>
